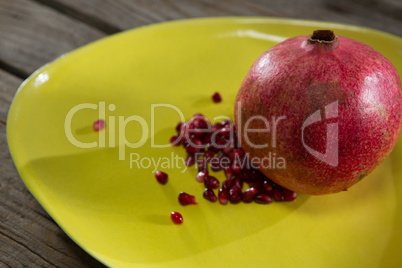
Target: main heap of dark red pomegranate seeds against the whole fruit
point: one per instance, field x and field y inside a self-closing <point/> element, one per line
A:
<point x="215" y="148"/>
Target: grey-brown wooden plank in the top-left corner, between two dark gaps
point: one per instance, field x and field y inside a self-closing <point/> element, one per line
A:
<point x="32" y="34"/>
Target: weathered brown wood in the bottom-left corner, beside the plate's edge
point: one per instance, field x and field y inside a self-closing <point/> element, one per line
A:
<point x="28" y="236"/>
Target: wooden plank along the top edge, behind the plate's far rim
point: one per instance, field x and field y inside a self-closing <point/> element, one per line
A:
<point x="126" y="14"/>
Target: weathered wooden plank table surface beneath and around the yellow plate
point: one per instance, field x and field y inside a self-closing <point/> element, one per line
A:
<point x="34" y="32"/>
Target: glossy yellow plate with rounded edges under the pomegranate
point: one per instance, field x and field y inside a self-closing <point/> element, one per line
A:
<point x="120" y="215"/>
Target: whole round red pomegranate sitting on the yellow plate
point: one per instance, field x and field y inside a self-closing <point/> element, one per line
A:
<point x="298" y="77"/>
